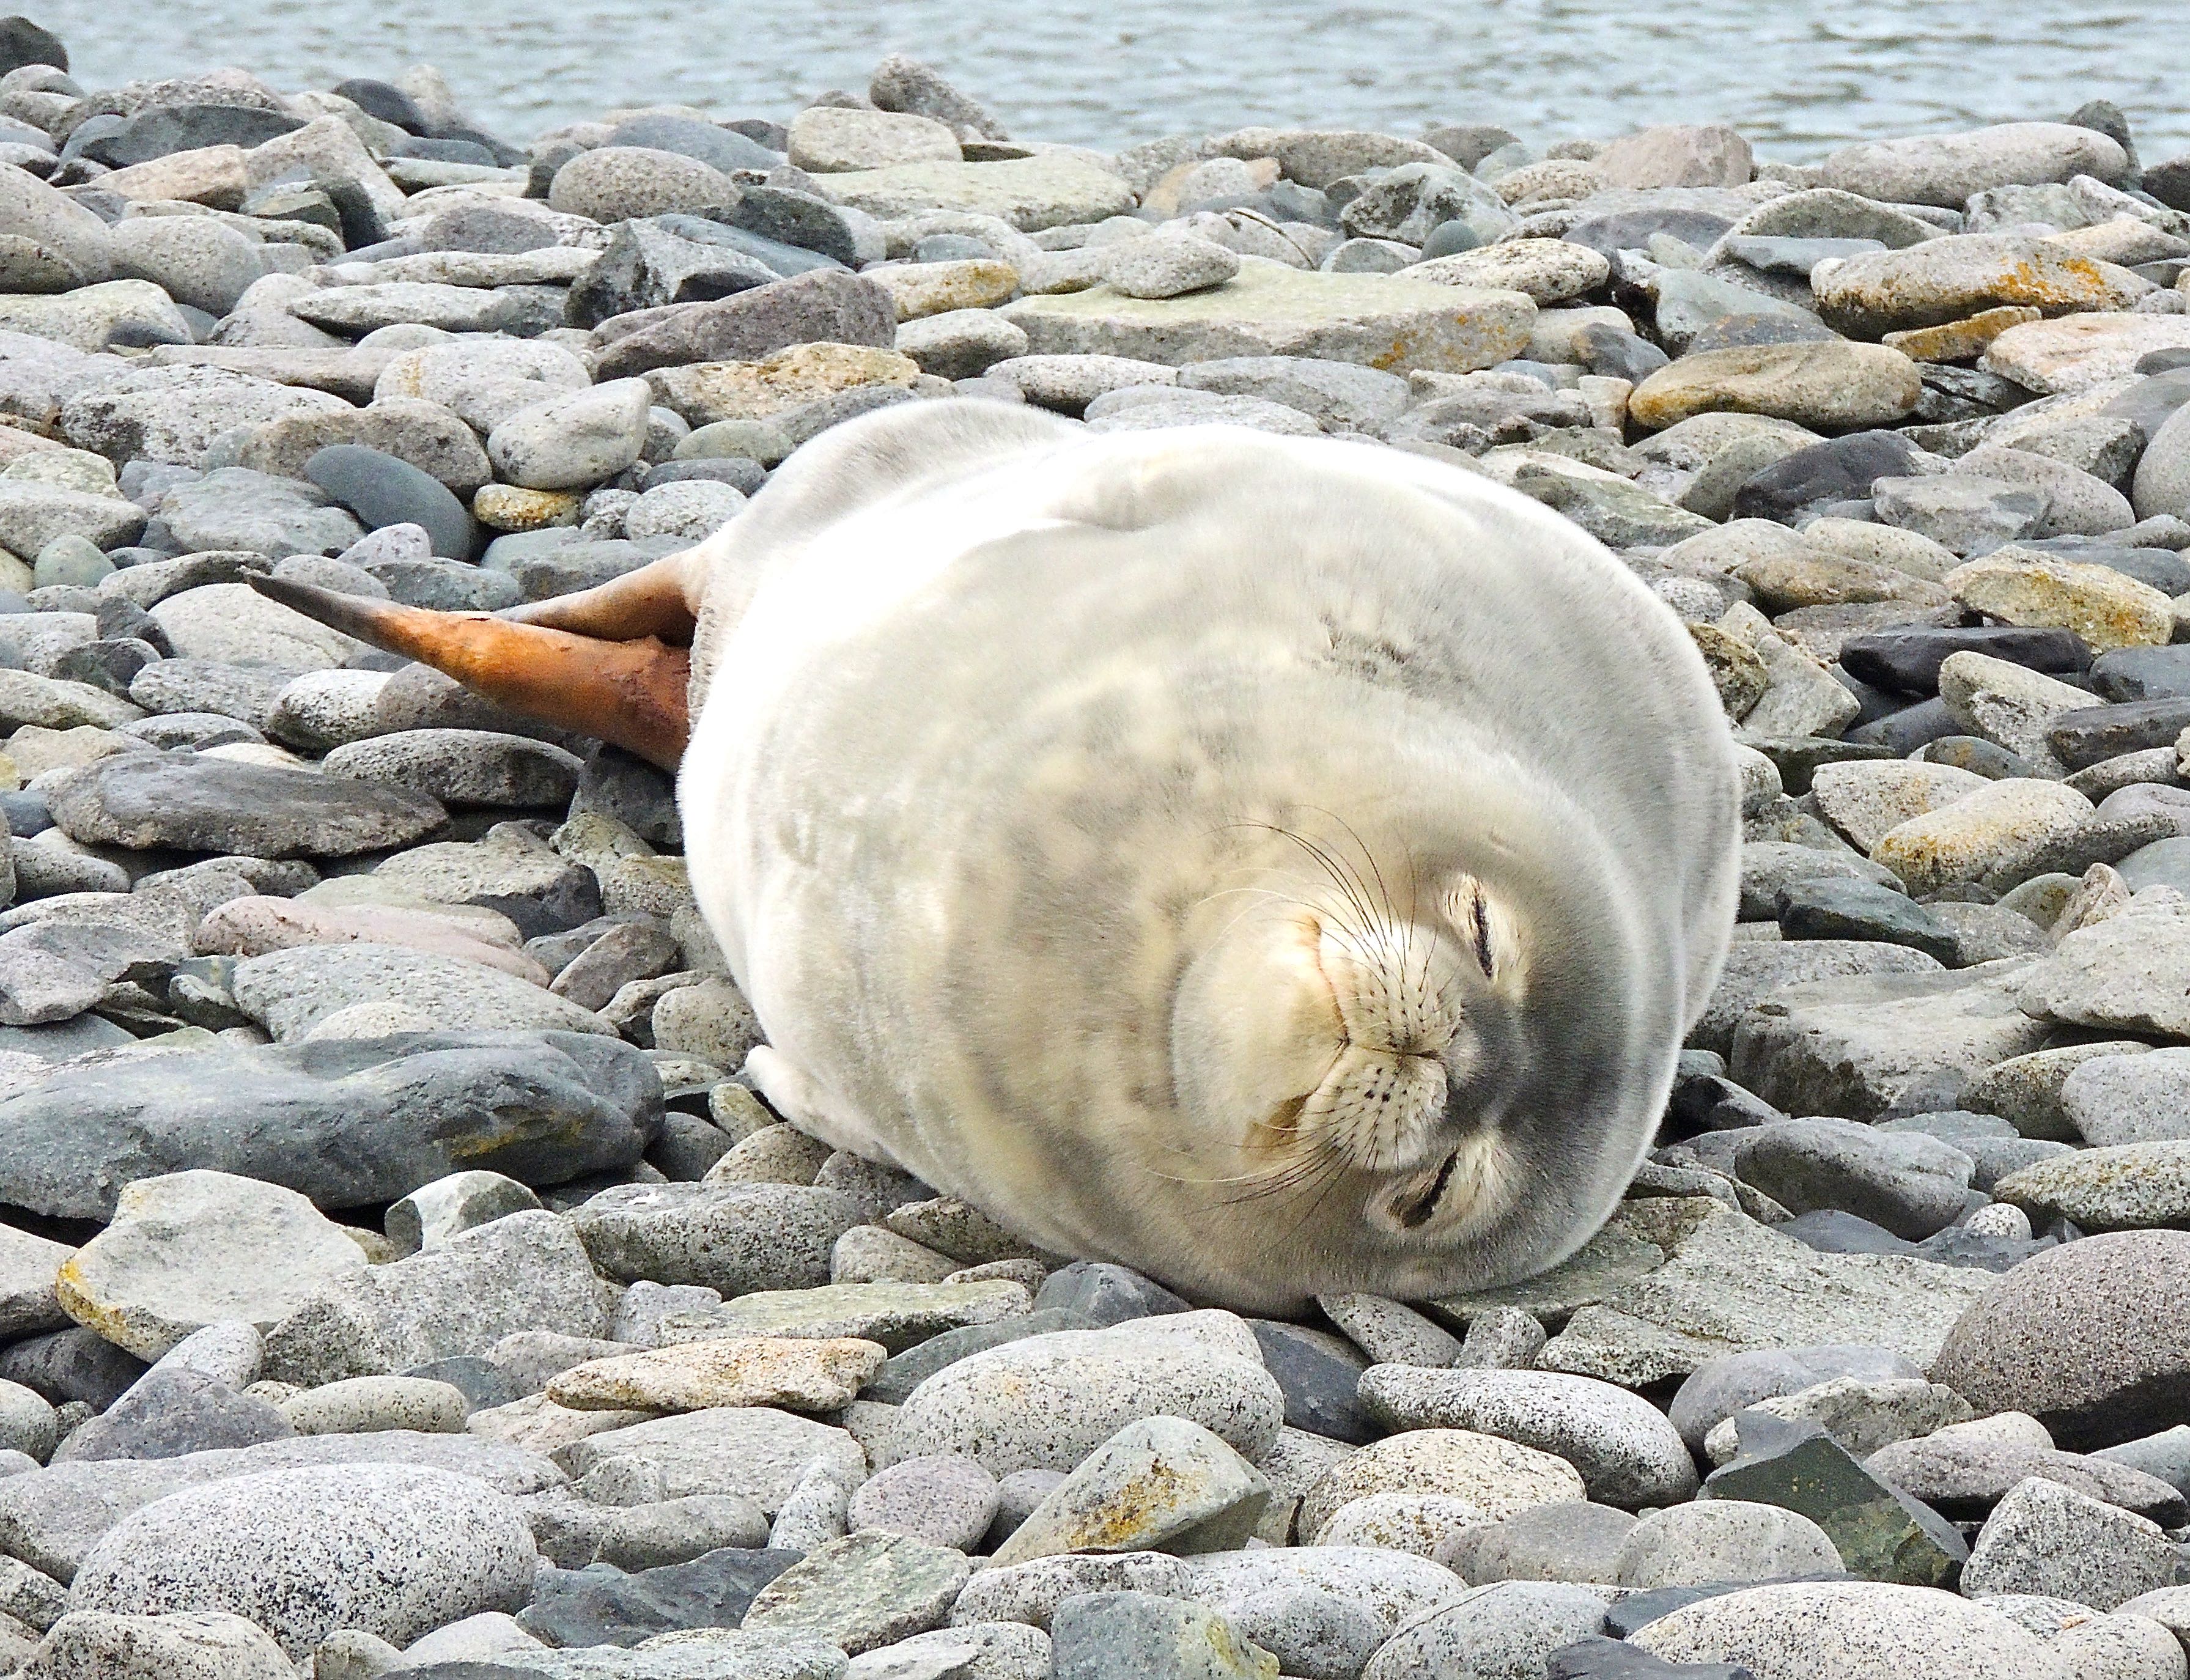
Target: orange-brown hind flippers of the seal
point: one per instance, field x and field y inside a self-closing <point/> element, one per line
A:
<point x="610" y="663"/>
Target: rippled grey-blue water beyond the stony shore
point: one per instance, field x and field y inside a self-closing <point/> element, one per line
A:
<point x="1795" y="76"/>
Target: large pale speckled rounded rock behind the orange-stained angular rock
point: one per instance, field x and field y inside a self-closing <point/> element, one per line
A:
<point x="1083" y="1385"/>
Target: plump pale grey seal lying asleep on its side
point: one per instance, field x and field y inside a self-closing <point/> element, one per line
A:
<point x="1280" y="866"/>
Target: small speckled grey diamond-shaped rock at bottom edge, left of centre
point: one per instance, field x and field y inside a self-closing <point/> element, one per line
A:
<point x="862" y="1591"/>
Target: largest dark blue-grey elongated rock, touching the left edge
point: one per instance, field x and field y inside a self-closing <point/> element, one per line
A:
<point x="349" y="1123"/>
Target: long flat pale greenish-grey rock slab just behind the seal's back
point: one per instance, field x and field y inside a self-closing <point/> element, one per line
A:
<point x="1269" y="310"/>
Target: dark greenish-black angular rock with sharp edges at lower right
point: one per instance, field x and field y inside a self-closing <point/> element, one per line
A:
<point x="1882" y="1534"/>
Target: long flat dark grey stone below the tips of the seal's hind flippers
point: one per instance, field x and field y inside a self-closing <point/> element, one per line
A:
<point x="216" y="805"/>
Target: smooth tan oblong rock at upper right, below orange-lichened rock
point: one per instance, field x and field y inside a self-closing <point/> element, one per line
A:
<point x="1812" y="384"/>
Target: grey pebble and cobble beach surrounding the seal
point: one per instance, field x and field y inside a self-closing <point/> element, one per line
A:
<point x="402" y="1278"/>
